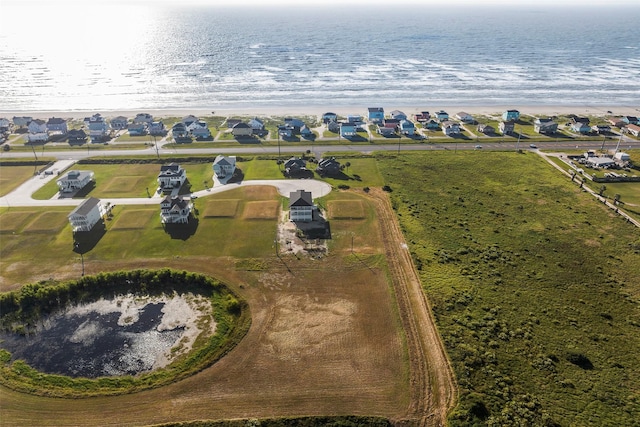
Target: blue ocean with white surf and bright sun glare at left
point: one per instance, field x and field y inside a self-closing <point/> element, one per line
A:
<point x="142" y="57"/>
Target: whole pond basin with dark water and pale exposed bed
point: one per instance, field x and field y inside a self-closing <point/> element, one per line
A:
<point x="126" y="335"/>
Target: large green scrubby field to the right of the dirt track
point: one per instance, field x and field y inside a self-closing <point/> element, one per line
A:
<point x="535" y="288"/>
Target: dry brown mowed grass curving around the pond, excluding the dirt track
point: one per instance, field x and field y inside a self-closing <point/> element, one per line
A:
<point x="320" y="343"/>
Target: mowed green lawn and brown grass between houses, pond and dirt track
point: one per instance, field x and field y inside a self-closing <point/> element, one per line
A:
<point x="325" y="338"/>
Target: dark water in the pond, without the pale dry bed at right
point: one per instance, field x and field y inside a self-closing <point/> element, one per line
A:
<point x="92" y="343"/>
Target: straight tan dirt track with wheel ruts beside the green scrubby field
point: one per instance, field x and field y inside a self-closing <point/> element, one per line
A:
<point x="432" y="382"/>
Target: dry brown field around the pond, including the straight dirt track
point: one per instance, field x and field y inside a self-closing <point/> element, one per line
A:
<point x="325" y="340"/>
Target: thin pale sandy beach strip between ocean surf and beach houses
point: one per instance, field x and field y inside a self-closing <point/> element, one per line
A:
<point x="534" y="110"/>
